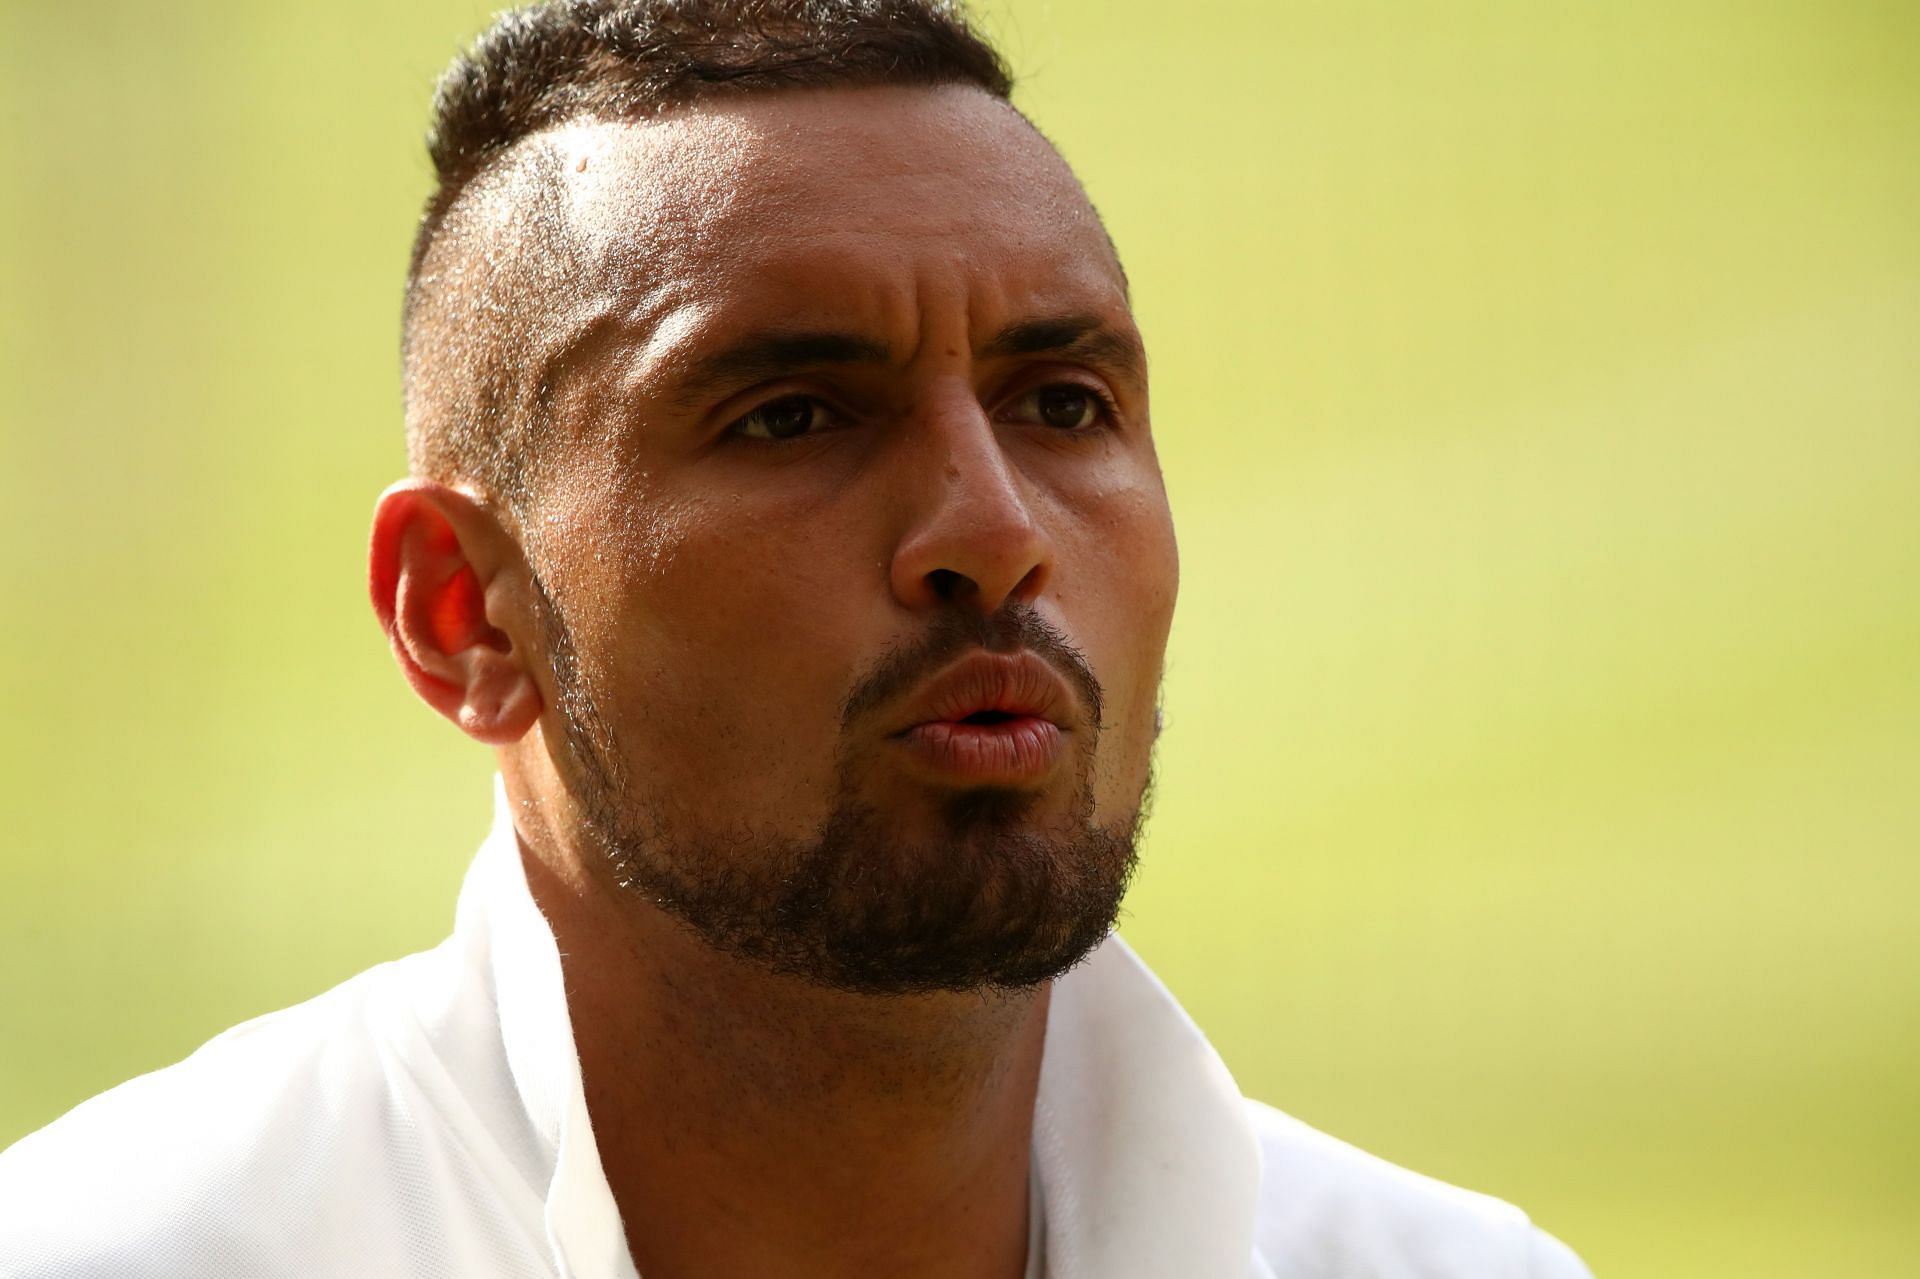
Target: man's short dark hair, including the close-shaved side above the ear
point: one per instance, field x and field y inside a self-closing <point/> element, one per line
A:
<point x="469" y="412"/>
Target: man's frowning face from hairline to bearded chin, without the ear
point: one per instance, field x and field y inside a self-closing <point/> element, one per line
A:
<point x="857" y="554"/>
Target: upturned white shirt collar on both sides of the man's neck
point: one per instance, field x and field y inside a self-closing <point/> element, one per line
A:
<point x="1141" y="1142"/>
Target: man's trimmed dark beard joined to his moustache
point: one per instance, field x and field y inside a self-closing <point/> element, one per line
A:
<point x="996" y="902"/>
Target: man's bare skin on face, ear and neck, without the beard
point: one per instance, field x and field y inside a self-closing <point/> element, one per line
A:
<point x="723" y="587"/>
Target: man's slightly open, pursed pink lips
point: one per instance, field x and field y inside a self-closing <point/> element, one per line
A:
<point x="992" y="719"/>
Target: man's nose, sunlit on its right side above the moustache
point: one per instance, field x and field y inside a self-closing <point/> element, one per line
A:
<point x="971" y="539"/>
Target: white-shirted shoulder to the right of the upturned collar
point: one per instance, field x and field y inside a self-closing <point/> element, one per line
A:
<point x="1330" y="1209"/>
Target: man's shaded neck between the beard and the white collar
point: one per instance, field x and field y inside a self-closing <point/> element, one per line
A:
<point x="757" y="1124"/>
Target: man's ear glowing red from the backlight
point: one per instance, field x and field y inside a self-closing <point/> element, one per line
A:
<point x="437" y="558"/>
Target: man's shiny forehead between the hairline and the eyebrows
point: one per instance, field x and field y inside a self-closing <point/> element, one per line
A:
<point x="830" y="201"/>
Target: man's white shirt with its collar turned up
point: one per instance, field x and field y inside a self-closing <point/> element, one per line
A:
<point x="427" y="1121"/>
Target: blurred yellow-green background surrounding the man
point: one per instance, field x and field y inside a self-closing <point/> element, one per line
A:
<point x="1539" y="389"/>
